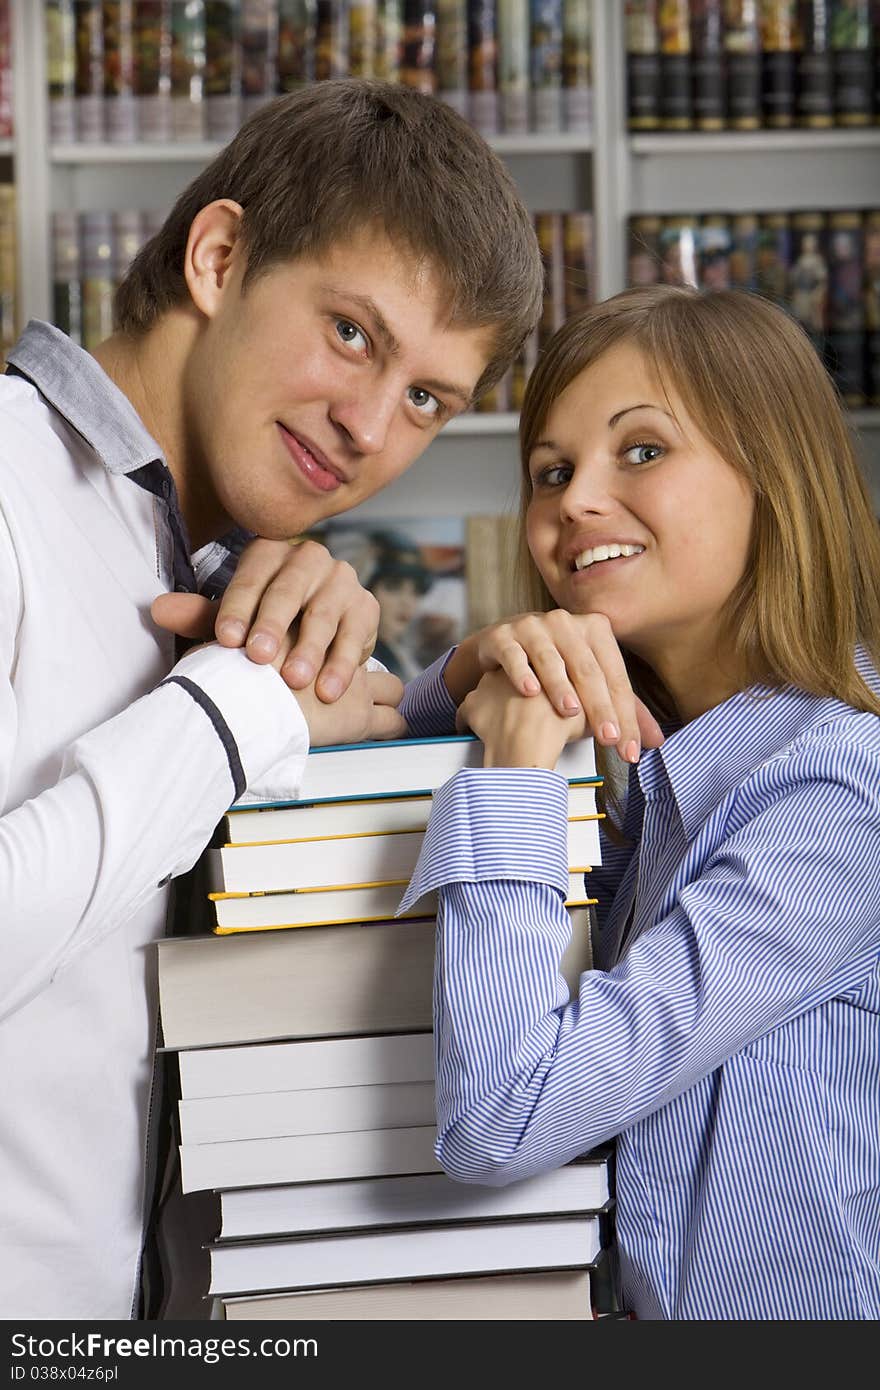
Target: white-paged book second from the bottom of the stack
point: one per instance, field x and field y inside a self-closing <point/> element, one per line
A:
<point x="375" y="1257"/>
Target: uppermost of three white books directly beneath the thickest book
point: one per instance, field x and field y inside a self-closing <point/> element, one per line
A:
<point x="290" y="1067"/>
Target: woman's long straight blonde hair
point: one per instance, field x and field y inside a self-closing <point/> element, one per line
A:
<point x="756" y="389"/>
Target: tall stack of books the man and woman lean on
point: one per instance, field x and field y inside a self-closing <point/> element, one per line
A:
<point x="307" y="1067"/>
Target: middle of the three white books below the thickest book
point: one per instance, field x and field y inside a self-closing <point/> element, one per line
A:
<point x="333" y="1110"/>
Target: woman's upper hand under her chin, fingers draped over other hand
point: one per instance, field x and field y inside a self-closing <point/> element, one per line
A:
<point x="575" y="661"/>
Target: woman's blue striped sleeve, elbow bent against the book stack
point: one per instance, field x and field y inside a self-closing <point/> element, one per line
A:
<point x="526" y="1081"/>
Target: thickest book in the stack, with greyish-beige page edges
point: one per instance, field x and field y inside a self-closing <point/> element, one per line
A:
<point x="327" y="982"/>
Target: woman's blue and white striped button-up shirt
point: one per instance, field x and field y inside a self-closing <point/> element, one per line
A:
<point x="731" y="1038"/>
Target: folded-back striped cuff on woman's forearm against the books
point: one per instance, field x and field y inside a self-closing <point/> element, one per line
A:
<point x="496" y="824"/>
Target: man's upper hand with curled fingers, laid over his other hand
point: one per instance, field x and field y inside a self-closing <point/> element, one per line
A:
<point x="275" y="587"/>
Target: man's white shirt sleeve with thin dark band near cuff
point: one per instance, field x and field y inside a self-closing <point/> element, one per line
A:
<point x="137" y="800"/>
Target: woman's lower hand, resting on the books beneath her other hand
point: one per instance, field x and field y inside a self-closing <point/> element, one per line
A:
<point x="516" y="730"/>
